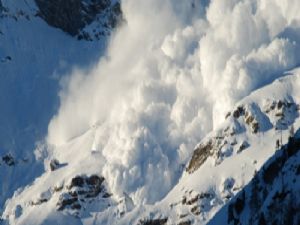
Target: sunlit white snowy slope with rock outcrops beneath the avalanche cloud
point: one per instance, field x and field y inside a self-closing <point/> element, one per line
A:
<point x="221" y="166"/>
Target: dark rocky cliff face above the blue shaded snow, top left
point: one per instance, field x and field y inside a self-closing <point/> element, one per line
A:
<point x="72" y="16"/>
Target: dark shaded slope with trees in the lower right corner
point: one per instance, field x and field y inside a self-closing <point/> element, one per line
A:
<point x="272" y="196"/>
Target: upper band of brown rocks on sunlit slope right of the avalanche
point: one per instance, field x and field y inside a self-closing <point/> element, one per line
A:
<point x="279" y="115"/>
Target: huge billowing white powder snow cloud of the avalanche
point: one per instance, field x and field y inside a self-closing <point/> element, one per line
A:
<point x="171" y="73"/>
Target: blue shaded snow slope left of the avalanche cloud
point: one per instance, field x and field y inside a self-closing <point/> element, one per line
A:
<point x="33" y="58"/>
